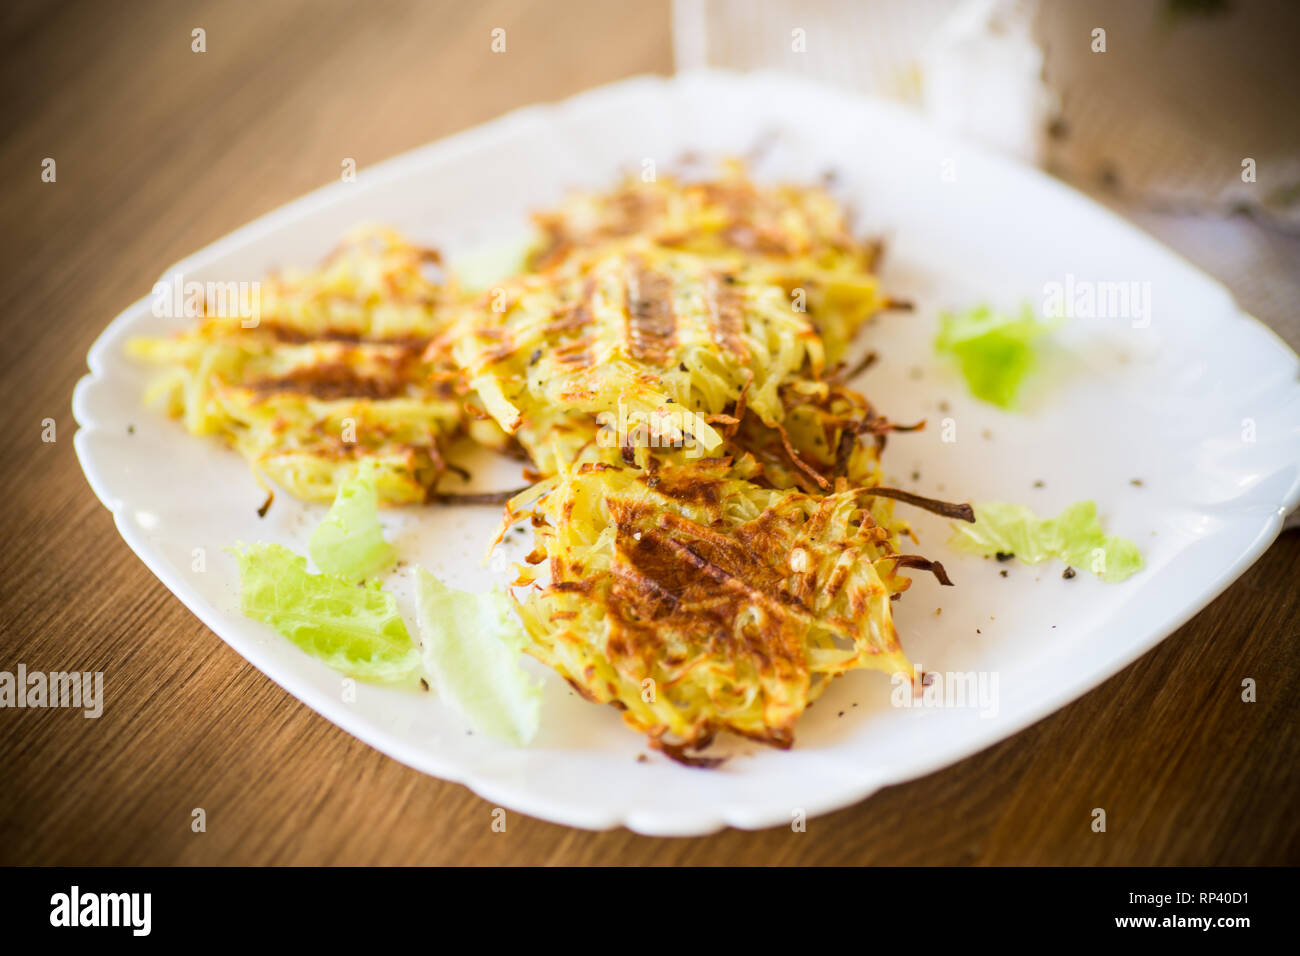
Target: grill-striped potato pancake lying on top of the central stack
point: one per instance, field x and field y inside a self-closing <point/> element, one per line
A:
<point x="665" y="341"/>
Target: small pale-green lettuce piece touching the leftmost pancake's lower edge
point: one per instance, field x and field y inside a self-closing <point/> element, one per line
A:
<point x="350" y="542"/>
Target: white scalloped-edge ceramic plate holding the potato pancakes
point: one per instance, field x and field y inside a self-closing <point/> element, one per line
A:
<point x="1202" y="404"/>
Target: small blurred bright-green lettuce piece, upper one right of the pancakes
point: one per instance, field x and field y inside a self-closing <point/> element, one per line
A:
<point x="995" y="352"/>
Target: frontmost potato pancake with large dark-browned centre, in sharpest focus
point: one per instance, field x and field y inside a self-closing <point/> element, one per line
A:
<point x="696" y="603"/>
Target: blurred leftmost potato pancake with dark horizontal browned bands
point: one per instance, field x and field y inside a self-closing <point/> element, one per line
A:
<point x="335" y="371"/>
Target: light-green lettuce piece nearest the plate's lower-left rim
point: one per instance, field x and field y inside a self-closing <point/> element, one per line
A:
<point x="354" y="630"/>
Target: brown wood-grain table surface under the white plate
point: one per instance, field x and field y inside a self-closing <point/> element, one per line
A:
<point x="159" y="152"/>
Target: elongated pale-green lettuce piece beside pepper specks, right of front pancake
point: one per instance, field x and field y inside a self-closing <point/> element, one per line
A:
<point x="1074" y="537"/>
